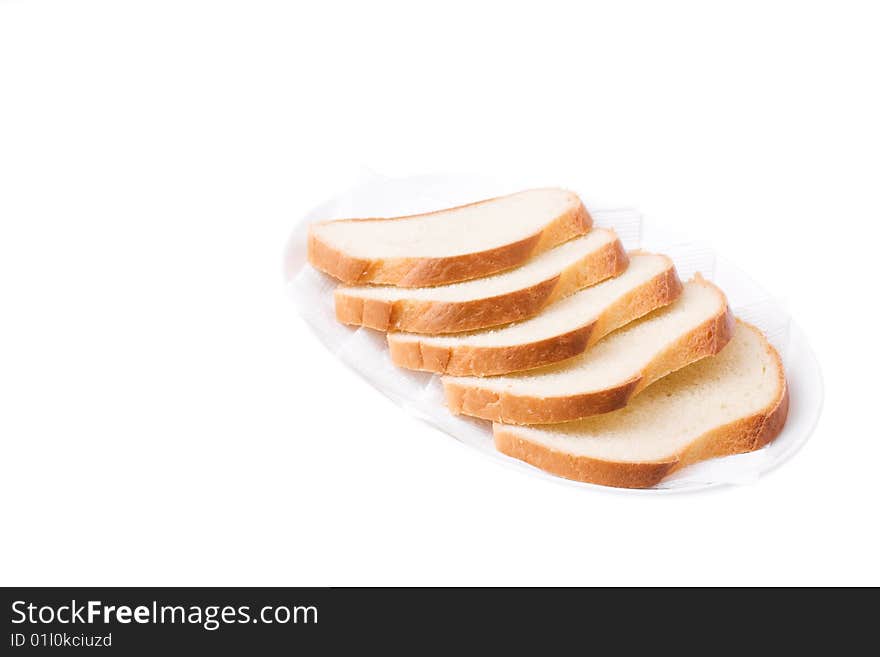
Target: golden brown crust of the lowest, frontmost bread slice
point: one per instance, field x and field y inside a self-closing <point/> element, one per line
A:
<point x="744" y="435"/>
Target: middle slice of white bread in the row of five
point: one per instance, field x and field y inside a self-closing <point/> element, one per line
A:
<point x="565" y="329"/>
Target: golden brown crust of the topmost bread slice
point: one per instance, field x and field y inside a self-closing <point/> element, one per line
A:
<point x="426" y="272"/>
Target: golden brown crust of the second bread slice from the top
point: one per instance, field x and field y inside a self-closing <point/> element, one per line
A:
<point x="417" y="316"/>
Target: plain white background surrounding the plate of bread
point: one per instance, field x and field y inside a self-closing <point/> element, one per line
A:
<point x="166" y="418"/>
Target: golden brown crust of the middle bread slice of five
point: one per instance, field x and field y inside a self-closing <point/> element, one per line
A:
<point x="465" y="360"/>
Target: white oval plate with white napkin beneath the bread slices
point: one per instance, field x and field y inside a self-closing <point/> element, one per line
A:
<point x="420" y="393"/>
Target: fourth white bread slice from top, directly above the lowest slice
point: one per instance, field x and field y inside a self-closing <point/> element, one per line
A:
<point x="604" y="378"/>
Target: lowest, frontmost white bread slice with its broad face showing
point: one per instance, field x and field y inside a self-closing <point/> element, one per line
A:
<point x="734" y="402"/>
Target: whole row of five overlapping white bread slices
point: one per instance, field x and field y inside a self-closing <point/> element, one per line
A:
<point x="592" y="363"/>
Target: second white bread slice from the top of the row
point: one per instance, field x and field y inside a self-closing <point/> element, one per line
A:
<point x="500" y="299"/>
